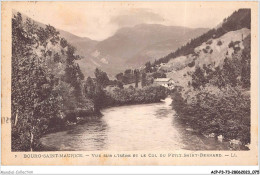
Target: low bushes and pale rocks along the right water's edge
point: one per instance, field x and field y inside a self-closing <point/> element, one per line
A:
<point x="224" y="116"/>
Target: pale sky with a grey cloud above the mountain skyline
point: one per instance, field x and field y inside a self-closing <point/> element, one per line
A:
<point x="100" y="20"/>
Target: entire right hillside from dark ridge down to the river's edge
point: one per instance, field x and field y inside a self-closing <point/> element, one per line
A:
<point x="212" y="75"/>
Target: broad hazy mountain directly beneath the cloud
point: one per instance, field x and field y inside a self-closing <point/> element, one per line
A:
<point x="144" y="42"/>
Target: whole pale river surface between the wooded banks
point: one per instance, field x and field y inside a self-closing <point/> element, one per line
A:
<point x="129" y="128"/>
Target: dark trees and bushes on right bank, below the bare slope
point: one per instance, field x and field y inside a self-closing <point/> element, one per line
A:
<point x="218" y="102"/>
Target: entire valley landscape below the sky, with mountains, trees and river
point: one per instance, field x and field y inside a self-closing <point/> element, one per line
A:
<point x="191" y="83"/>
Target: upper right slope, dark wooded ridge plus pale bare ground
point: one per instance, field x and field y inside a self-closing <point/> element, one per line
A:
<point x="229" y="41"/>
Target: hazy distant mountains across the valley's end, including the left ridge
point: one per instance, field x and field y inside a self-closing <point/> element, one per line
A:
<point x="128" y="47"/>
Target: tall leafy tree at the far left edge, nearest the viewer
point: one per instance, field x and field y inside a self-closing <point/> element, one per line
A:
<point x="34" y="101"/>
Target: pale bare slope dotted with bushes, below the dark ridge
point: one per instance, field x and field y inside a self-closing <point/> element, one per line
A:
<point x="213" y="52"/>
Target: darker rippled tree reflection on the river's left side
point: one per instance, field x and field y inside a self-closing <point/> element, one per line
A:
<point x="94" y="132"/>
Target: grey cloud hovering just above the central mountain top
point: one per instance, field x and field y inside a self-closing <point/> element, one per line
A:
<point x="135" y="16"/>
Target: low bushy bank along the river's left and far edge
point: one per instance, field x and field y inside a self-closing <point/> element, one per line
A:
<point x="119" y="97"/>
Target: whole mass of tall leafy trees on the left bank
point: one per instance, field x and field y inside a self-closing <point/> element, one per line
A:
<point x="45" y="82"/>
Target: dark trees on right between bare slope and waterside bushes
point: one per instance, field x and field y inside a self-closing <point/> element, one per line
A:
<point x="234" y="72"/>
